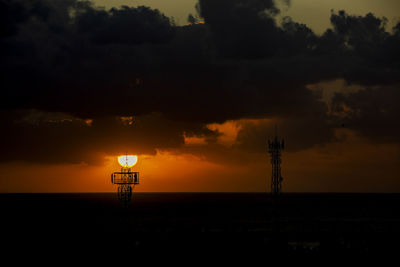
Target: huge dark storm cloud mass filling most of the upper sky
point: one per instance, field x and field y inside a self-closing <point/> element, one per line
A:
<point x="71" y="58"/>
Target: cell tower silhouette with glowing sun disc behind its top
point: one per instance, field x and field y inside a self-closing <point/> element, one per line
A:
<point x="126" y="179"/>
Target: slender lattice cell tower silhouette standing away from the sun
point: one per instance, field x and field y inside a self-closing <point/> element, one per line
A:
<point x="275" y="148"/>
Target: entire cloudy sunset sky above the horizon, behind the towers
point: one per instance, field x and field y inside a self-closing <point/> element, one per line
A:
<point x="197" y="103"/>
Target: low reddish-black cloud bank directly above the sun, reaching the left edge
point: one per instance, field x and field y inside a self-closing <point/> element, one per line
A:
<point x="37" y="136"/>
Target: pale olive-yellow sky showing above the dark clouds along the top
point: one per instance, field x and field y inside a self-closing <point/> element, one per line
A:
<point x="314" y="13"/>
